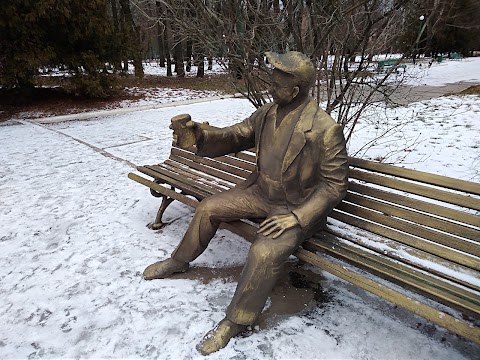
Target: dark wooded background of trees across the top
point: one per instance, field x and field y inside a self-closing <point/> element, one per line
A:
<point x="96" y="39"/>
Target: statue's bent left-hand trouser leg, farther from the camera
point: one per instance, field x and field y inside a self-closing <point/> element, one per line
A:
<point x="227" y="206"/>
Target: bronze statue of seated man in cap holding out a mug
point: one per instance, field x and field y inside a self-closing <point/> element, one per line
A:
<point x="300" y="175"/>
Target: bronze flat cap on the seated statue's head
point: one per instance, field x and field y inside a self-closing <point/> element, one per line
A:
<point x="293" y="62"/>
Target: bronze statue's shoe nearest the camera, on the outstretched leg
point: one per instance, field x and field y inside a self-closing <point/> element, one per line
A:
<point x="219" y="337"/>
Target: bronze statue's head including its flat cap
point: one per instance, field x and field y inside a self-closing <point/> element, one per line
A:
<point x="293" y="71"/>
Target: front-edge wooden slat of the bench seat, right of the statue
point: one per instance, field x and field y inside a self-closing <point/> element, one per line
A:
<point x="445" y="320"/>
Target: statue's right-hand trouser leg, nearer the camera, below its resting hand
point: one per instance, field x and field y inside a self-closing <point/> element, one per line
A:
<point x="262" y="269"/>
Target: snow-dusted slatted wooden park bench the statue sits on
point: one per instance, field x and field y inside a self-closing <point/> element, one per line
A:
<point x="407" y="236"/>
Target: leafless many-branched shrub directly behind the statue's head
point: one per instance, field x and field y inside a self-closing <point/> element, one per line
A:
<point x="345" y="38"/>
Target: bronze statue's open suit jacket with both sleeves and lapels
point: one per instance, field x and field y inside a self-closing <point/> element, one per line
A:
<point x="315" y="165"/>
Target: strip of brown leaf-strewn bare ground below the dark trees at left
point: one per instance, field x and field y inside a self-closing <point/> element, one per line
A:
<point x="51" y="95"/>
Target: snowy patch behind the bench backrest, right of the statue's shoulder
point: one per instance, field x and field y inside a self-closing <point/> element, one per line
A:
<point x="439" y="136"/>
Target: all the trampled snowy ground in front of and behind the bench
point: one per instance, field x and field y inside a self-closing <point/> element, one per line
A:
<point x="74" y="245"/>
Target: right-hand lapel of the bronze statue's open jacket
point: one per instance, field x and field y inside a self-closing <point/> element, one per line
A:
<point x="298" y="141"/>
